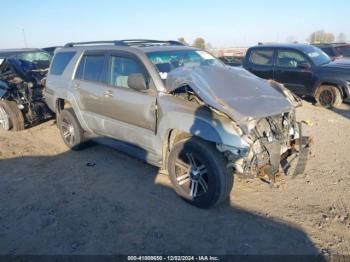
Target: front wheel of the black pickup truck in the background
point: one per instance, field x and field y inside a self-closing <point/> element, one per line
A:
<point x="328" y="96"/>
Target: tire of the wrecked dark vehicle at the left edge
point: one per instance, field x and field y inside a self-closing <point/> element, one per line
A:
<point x="10" y="111"/>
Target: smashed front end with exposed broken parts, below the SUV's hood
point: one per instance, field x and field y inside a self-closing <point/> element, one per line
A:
<point x="276" y="147"/>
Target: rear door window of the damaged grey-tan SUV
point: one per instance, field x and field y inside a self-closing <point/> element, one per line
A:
<point x="91" y="68"/>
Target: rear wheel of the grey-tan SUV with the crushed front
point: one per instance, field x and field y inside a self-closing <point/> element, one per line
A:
<point x="70" y="129"/>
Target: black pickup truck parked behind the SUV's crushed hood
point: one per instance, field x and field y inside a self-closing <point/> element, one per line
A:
<point x="304" y="69"/>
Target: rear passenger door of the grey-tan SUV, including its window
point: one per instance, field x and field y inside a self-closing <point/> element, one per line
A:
<point x="89" y="80"/>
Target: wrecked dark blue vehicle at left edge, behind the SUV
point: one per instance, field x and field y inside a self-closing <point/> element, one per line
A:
<point x="22" y="74"/>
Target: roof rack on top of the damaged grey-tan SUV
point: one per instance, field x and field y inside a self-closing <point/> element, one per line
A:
<point x="128" y="42"/>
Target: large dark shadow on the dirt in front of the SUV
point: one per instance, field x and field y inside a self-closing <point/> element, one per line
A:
<point x="123" y="206"/>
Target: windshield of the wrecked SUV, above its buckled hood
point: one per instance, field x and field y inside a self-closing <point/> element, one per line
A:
<point x="167" y="61"/>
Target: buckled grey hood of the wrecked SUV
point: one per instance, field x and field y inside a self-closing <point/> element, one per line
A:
<point x="234" y="91"/>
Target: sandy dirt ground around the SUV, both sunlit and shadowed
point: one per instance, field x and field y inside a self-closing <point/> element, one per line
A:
<point x="53" y="203"/>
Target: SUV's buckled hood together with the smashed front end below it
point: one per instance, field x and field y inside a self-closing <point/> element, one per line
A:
<point x="262" y="112"/>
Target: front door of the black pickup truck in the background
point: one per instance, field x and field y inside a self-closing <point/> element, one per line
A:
<point x="294" y="70"/>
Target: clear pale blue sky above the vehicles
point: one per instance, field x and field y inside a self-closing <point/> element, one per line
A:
<point x="222" y="23"/>
